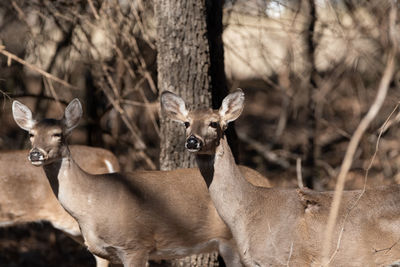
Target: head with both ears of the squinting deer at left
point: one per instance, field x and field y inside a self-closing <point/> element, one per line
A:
<point x="47" y="136"/>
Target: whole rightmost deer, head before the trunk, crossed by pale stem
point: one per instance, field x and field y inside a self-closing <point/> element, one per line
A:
<point x="275" y="226"/>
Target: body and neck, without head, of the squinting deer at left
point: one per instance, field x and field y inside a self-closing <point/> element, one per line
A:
<point x="145" y="213"/>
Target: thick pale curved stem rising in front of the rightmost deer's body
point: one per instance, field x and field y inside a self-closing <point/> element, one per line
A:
<point x="348" y="159"/>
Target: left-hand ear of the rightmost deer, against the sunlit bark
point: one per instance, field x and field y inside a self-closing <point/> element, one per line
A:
<point x="173" y="106"/>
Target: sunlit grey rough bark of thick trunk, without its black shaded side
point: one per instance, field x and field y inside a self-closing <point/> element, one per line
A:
<point x="183" y="64"/>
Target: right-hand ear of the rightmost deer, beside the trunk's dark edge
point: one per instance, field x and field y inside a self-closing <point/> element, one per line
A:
<point x="232" y="106"/>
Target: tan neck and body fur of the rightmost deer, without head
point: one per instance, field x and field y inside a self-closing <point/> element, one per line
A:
<point x="276" y="226"/>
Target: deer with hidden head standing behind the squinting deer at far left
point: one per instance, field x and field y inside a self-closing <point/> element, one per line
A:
<point x="26" y="196"/>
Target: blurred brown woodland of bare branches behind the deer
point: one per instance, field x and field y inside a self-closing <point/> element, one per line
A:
<point x="310" y="70"/>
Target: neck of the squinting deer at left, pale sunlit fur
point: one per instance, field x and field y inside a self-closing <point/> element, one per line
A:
<point x="68" y="182"/>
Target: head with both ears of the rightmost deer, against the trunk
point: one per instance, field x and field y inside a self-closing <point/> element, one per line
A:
<point x="204" y="127"/>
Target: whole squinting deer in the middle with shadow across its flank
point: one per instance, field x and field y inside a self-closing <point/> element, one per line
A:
<point x="129" y="218"/>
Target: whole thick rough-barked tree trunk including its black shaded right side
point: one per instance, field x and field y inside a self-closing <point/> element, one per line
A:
<point x="184" y="67"/>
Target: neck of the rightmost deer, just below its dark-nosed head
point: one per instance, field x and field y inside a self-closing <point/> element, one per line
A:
<point x="228" y="188"/>
